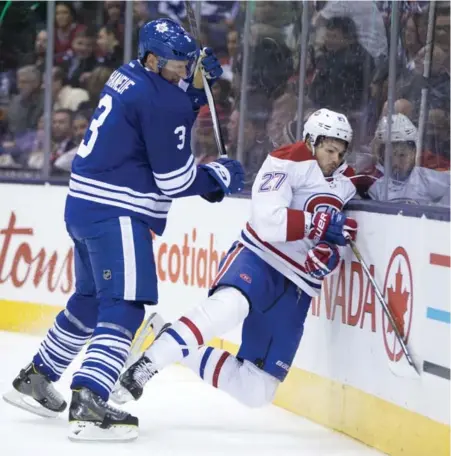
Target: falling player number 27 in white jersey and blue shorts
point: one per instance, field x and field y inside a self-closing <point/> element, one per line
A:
<point x="269" y="276"/>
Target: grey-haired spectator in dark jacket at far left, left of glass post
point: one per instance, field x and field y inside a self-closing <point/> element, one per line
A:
<point x="27" y="107"/>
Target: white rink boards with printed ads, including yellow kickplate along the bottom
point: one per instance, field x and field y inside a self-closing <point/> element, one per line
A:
<point x="349" y="373"/>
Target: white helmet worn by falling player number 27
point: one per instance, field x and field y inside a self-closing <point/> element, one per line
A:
<point x="327" y="123"/>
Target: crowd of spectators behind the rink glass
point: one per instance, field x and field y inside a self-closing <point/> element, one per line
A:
<point x="369" y="60"/>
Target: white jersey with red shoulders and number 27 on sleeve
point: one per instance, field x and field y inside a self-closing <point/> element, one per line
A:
<point x="289" y="187"/>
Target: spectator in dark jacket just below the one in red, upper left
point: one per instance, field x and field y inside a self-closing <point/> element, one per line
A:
<point x="80" y="60"/>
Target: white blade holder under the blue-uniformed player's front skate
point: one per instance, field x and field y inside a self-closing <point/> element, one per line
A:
<point x="83" y="431"/>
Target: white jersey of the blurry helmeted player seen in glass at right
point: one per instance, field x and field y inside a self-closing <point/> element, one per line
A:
<point x="424" y="186"/>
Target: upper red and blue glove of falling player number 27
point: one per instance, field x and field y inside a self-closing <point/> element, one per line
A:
<point x="335" y="228"/>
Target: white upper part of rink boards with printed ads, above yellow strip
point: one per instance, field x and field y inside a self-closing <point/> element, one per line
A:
<point x="347" y="337"/>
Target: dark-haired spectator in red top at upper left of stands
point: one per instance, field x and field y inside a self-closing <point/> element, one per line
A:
<point x="66" y="29"/>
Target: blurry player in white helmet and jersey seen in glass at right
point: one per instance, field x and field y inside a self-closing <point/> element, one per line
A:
<point x="408" y="182"/>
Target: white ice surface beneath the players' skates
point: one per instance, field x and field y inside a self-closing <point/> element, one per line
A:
<point x="179" y="416"/>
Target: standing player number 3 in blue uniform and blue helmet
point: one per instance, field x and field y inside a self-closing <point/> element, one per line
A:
<point x="134" y="159"/>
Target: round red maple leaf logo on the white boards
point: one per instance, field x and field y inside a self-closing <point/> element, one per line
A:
<point x="398" y="288"/>
